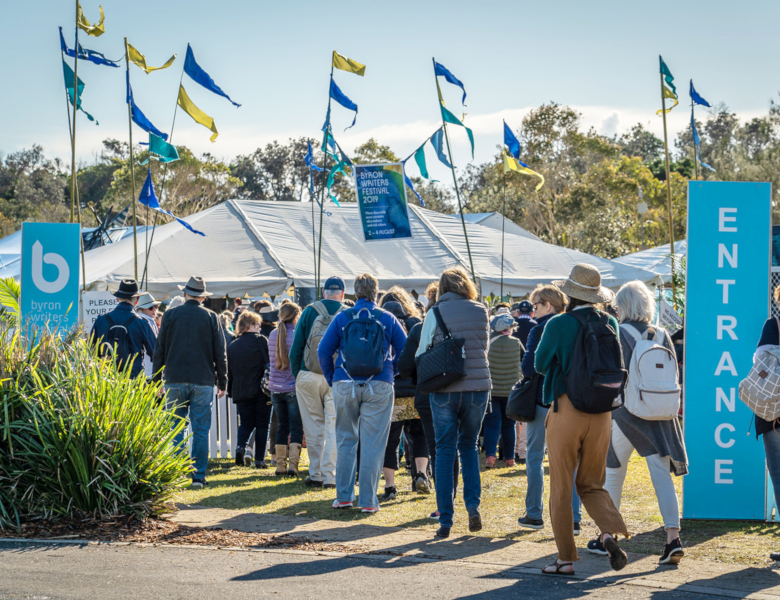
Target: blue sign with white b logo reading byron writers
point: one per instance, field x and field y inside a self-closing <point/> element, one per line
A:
<point x="50" y="275"/>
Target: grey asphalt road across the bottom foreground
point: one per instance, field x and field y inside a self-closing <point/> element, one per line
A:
<point x="59" y="572"/>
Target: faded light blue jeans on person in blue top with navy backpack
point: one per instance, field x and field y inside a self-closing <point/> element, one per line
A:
<point x="363" y="415"/>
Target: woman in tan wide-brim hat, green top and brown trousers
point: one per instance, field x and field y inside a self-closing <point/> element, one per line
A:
<point x="576" y="441"/>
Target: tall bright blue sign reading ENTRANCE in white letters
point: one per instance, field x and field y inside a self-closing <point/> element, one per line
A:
<point x="727" y="302"/>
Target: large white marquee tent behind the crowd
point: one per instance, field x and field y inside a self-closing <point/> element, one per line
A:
<point x="255" y="247"/>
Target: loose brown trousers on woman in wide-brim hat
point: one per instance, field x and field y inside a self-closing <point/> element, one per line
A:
<point x="578" y="441"/>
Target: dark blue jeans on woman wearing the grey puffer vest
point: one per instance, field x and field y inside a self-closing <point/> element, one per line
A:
<point x="457" y="419"/>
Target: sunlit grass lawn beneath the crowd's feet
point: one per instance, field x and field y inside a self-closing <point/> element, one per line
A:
<point x="503" y="501"/>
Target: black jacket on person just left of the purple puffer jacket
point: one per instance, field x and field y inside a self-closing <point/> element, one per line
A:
<point x="247" y="359"/>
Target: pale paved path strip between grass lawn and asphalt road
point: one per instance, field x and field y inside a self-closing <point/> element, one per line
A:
<point x="499" y="555"/>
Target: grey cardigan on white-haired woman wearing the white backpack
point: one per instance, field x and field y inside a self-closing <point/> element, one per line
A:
<point x="648" y="437"/>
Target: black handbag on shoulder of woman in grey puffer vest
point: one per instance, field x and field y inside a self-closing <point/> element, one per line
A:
<point x="442" y="364"/>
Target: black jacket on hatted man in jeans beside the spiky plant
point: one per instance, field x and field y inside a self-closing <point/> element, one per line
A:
<point x="191" y="347"/>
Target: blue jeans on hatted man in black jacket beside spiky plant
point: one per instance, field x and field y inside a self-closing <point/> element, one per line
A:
<point x="191" y="401"/>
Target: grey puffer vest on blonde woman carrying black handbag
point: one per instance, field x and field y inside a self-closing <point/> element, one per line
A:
<point x="466" y="319"/>
